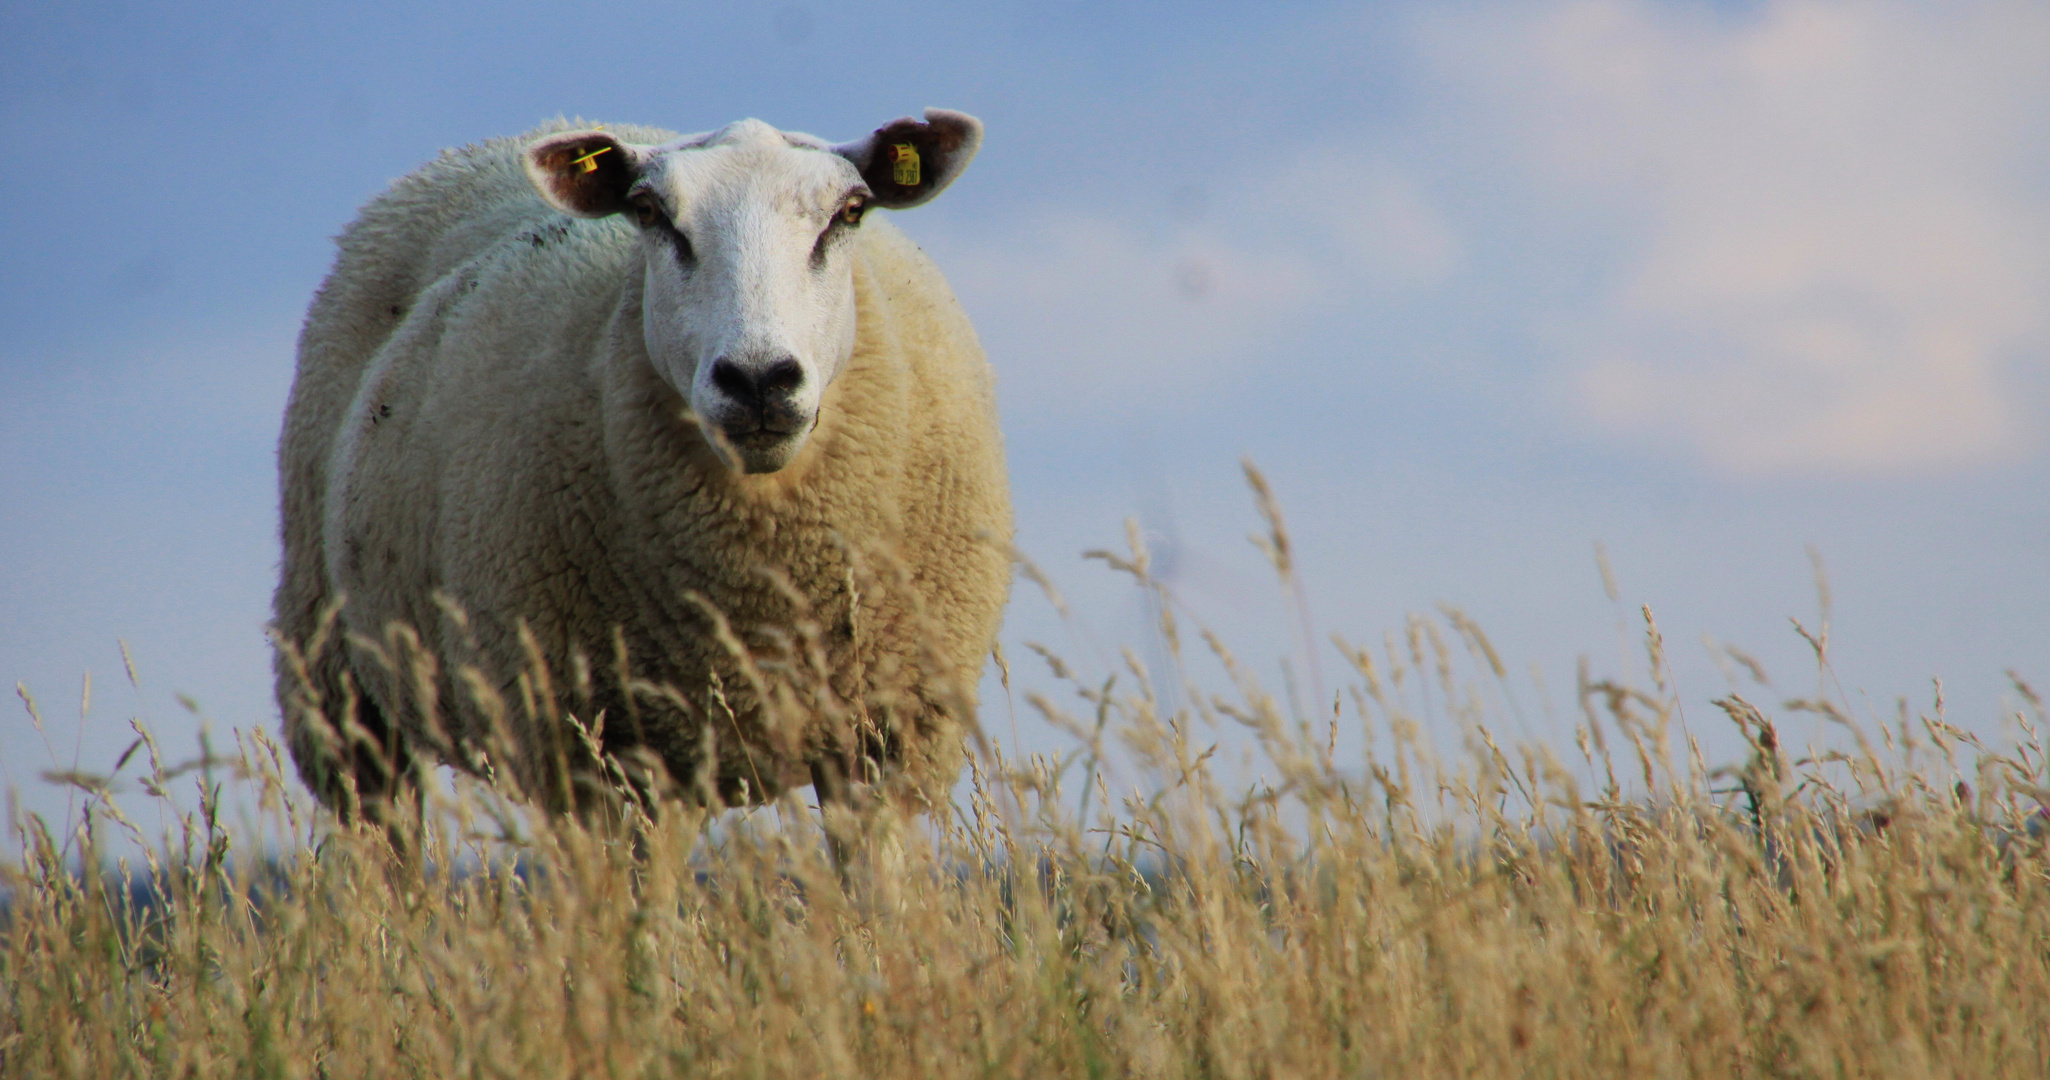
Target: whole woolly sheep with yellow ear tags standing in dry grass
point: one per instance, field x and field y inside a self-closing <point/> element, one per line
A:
<point x="618" y="458"/>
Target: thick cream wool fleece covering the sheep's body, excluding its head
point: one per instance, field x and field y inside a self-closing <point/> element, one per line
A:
<point x="483" y="468"/>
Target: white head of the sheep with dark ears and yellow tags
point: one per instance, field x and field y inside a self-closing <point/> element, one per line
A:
<point x="749" y="296"/>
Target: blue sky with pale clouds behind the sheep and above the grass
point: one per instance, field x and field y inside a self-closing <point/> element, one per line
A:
<point x="1477" y="286"/>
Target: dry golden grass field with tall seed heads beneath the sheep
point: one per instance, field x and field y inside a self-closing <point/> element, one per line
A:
<point x="1377" y="913"/>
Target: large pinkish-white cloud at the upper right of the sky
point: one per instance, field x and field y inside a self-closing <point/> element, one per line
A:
<point x="1838" y="218"/>
